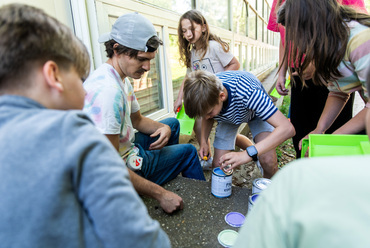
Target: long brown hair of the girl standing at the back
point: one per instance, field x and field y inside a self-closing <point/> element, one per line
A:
<point x="194" y="16"/>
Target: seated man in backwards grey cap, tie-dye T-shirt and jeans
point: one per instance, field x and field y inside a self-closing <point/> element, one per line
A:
<point x="111" y="103"/>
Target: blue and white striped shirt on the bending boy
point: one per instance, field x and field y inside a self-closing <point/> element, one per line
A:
<point x="246" y="98"/>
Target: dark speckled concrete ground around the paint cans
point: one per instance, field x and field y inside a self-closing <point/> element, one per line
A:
<point x="203" y="216"/>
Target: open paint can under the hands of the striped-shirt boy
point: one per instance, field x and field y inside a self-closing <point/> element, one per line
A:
<point x="221" y="183"/>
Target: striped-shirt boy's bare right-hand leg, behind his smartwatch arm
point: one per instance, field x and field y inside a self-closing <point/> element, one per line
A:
<point x="267" y="160"/>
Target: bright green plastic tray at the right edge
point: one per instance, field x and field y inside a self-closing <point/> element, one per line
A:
<point x="322" y="145"/>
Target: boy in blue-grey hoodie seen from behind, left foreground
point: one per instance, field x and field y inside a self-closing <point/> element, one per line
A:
<point x="62" y="184"/>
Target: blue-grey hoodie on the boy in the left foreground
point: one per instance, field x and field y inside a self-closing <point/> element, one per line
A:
<point x="62" y="184"/>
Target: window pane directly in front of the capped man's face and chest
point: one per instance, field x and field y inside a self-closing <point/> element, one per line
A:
<point x="148" y="89"/>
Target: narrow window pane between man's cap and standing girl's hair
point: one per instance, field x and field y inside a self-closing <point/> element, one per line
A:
<point x="178" y="70"/>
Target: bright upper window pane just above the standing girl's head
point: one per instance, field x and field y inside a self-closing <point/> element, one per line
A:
<point x="215" y="14"/>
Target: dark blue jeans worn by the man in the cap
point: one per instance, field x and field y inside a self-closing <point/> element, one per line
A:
<point x="161" y="166"/>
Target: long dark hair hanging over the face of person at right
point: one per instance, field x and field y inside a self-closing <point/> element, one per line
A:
<point x="317" y="32"/>
